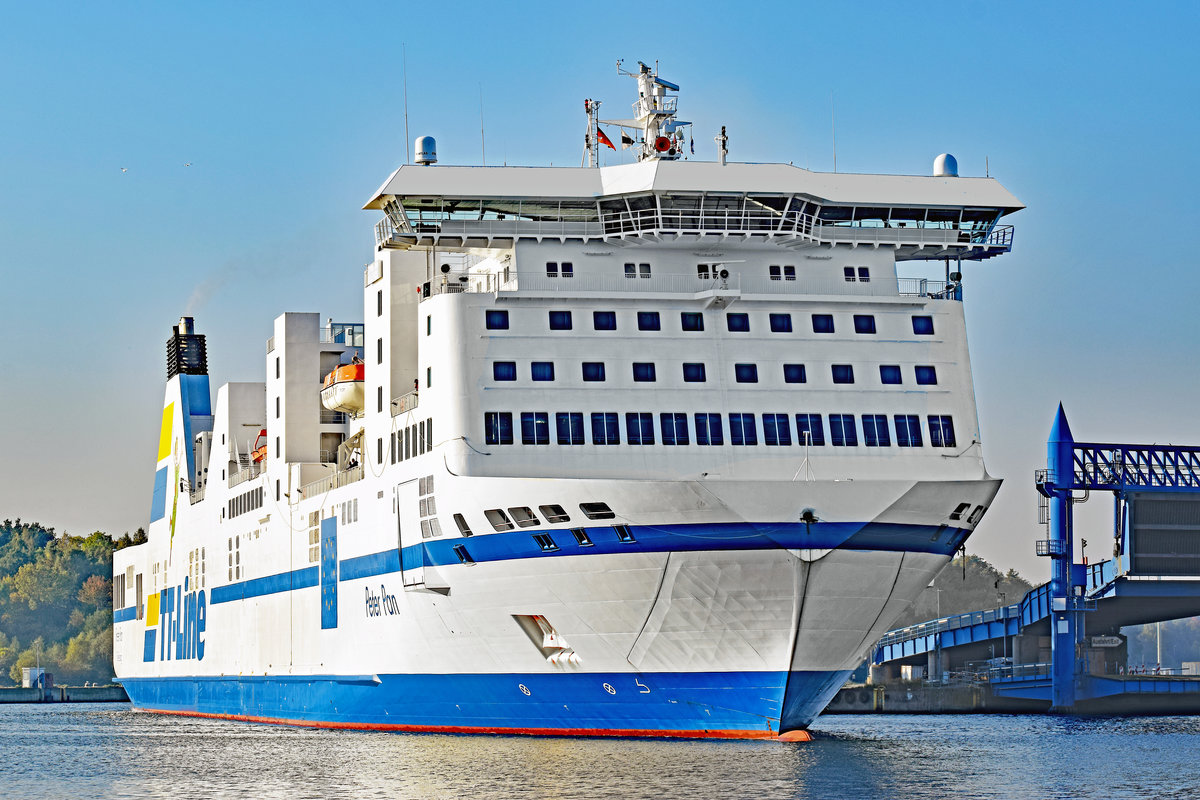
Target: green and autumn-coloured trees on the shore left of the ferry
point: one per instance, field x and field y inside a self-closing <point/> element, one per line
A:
<point x="57" y="603"/>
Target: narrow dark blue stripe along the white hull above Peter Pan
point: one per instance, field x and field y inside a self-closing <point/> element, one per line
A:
<point x="649" y="539"/>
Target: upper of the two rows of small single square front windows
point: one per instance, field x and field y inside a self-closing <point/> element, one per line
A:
<point x="693" y="322"/>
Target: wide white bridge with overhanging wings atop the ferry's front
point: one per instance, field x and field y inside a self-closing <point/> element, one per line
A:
<point x="476" y="207"/>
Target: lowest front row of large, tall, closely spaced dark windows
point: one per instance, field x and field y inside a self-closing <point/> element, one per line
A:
<point x="571" y="429"/>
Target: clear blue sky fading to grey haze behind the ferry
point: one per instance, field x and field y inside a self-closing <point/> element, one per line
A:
<point x="292" y="115"/>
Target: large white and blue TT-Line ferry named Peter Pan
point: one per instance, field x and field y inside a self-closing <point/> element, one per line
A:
<point x="657" y="449"/>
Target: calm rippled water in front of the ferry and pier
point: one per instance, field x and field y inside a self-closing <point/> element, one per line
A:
<point x="109" y="751"/>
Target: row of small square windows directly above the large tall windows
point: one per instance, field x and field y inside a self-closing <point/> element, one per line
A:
<point x="697" y="372"/>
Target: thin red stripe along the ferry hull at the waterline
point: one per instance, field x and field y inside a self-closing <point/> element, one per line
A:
<point x="791" y="736"/>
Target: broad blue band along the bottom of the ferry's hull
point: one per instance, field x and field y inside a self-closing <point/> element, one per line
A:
<point x="568" y="702"/>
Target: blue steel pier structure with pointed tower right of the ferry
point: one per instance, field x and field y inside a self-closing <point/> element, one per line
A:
<point x="1061" y="648"/>
